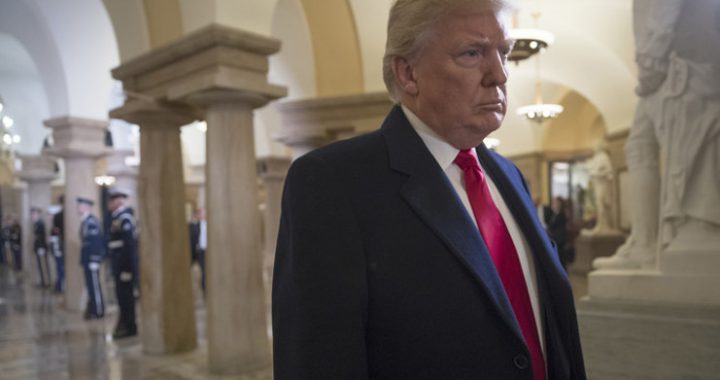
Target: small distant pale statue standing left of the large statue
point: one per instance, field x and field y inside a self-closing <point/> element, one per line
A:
<point x="603" y="178"/>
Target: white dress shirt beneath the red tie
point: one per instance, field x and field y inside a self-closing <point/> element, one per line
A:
<point x="445" y="154"/>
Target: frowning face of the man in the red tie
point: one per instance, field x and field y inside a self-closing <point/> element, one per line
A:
<point x="460" y="76"/>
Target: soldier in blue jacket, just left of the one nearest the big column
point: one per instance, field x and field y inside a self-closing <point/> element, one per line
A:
<point x="91" y="257"/>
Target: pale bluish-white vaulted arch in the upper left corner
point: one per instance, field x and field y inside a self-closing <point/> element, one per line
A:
<point x="73" y="47"/>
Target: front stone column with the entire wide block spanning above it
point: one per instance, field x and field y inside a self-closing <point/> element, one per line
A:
<point x="222" y="72"/>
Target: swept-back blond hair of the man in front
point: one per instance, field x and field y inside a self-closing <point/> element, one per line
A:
<point x="412" y="21"/>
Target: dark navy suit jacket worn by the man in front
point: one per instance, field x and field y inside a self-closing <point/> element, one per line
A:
<point x="380" y="272"/>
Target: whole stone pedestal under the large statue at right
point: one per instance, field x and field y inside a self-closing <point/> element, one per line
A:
<point x="652" y="324"/>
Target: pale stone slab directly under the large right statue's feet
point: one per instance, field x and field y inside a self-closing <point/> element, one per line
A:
<point x="654" y="286"/>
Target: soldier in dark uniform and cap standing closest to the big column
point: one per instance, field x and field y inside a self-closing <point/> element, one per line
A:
<point x="123" y="255"/>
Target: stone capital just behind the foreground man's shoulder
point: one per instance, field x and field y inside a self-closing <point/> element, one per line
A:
<point x="308" y="124"/>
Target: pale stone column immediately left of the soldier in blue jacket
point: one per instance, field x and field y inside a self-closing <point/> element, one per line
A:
<point x="79" y="142"/>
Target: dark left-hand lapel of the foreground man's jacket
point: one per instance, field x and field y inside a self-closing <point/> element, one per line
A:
<point x="430" y="194"/>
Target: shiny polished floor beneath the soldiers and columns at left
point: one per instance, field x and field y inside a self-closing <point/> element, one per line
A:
<point x="41" y="340"/>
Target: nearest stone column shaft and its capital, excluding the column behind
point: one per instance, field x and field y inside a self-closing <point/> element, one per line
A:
<point x="237" y="329"/>
